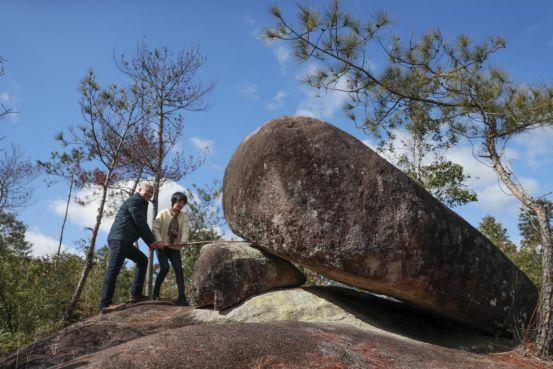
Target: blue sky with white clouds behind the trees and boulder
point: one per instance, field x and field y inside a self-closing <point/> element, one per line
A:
<point x="50" y="45"/>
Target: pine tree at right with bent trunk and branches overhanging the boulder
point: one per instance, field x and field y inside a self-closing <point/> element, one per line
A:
<point x="453" y="85"/>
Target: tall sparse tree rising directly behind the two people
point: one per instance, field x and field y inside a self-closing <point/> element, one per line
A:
<point x="168" y="86"/>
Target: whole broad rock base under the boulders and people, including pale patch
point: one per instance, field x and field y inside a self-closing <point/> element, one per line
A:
<point x="290" y="328"/>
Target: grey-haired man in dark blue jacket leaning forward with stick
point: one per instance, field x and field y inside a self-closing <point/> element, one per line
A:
<point x="129" y="225"/>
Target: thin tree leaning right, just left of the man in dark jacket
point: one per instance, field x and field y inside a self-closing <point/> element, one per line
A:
<point x="111" y="117"/>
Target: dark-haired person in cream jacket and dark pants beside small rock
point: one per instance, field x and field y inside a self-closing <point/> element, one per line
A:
<point x="171" y="227"/>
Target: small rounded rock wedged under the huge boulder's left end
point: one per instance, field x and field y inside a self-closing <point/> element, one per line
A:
<point x="229" y="272"/>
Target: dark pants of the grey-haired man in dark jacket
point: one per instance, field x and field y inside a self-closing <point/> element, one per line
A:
<point x="118" y="252"/>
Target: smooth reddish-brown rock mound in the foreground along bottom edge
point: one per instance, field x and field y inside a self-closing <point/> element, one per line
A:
<point x="285" y="345"/>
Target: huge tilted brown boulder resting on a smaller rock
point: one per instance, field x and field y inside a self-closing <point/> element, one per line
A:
<point x="310" y="193"/>
